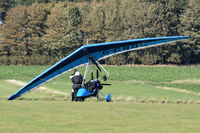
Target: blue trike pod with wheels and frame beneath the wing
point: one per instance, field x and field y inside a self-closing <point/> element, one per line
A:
<point x="93" y="87"/>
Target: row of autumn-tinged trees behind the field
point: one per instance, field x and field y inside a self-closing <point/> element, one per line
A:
<point x="40" y="32"/>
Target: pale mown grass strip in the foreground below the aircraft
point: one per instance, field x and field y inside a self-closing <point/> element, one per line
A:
<point x="63" y="117"/>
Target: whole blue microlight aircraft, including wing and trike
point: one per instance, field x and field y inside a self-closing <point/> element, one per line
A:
<point x="91" y="54"/>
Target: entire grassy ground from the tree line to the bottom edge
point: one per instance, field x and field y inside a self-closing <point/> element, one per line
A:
<point x="50" y="110"/>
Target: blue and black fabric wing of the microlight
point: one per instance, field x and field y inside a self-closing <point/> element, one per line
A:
<point x="97" y="51"/>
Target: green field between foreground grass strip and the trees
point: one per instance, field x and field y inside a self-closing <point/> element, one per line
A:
<point x="145" y="84"/>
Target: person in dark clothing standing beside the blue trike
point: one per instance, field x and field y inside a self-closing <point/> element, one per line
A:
<point x="77" y="80"/>
